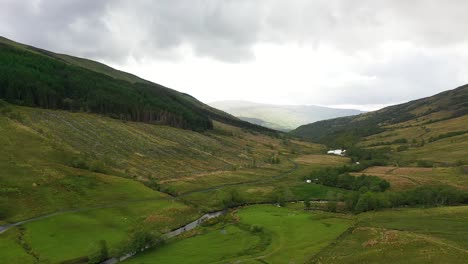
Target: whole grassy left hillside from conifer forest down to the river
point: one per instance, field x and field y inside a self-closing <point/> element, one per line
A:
<point x="102" y="175"/>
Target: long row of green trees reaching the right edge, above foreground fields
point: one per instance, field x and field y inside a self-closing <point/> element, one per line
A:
<point x="426" y="196"/>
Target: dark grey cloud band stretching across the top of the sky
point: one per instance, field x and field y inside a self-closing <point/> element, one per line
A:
<point x="227" y="30"/>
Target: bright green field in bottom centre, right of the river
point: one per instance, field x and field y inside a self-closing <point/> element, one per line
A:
<point x="287" y="236"/>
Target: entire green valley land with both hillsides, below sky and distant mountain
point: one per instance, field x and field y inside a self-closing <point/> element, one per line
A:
<point x="96" y="164"/>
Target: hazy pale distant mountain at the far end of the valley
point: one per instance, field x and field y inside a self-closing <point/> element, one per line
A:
<point x="280" y="117"/>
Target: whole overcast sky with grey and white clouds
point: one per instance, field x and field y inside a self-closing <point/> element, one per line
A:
<point x="360" y="53"/>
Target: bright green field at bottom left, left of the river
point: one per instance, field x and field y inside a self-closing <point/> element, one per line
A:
<point x="74" y="235"/>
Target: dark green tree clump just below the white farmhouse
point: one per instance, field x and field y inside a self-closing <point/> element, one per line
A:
<point x="340" y="178"/>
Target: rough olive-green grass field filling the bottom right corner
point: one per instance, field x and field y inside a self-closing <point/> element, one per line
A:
<point x="435" y="235"/>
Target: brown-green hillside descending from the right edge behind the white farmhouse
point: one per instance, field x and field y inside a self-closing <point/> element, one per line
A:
<point x="432" y="129"/>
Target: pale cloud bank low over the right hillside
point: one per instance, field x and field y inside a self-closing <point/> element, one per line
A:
<point x="405" y="77"/>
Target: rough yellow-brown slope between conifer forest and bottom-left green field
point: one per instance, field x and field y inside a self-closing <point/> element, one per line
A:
<point x="55" y="160"/>
